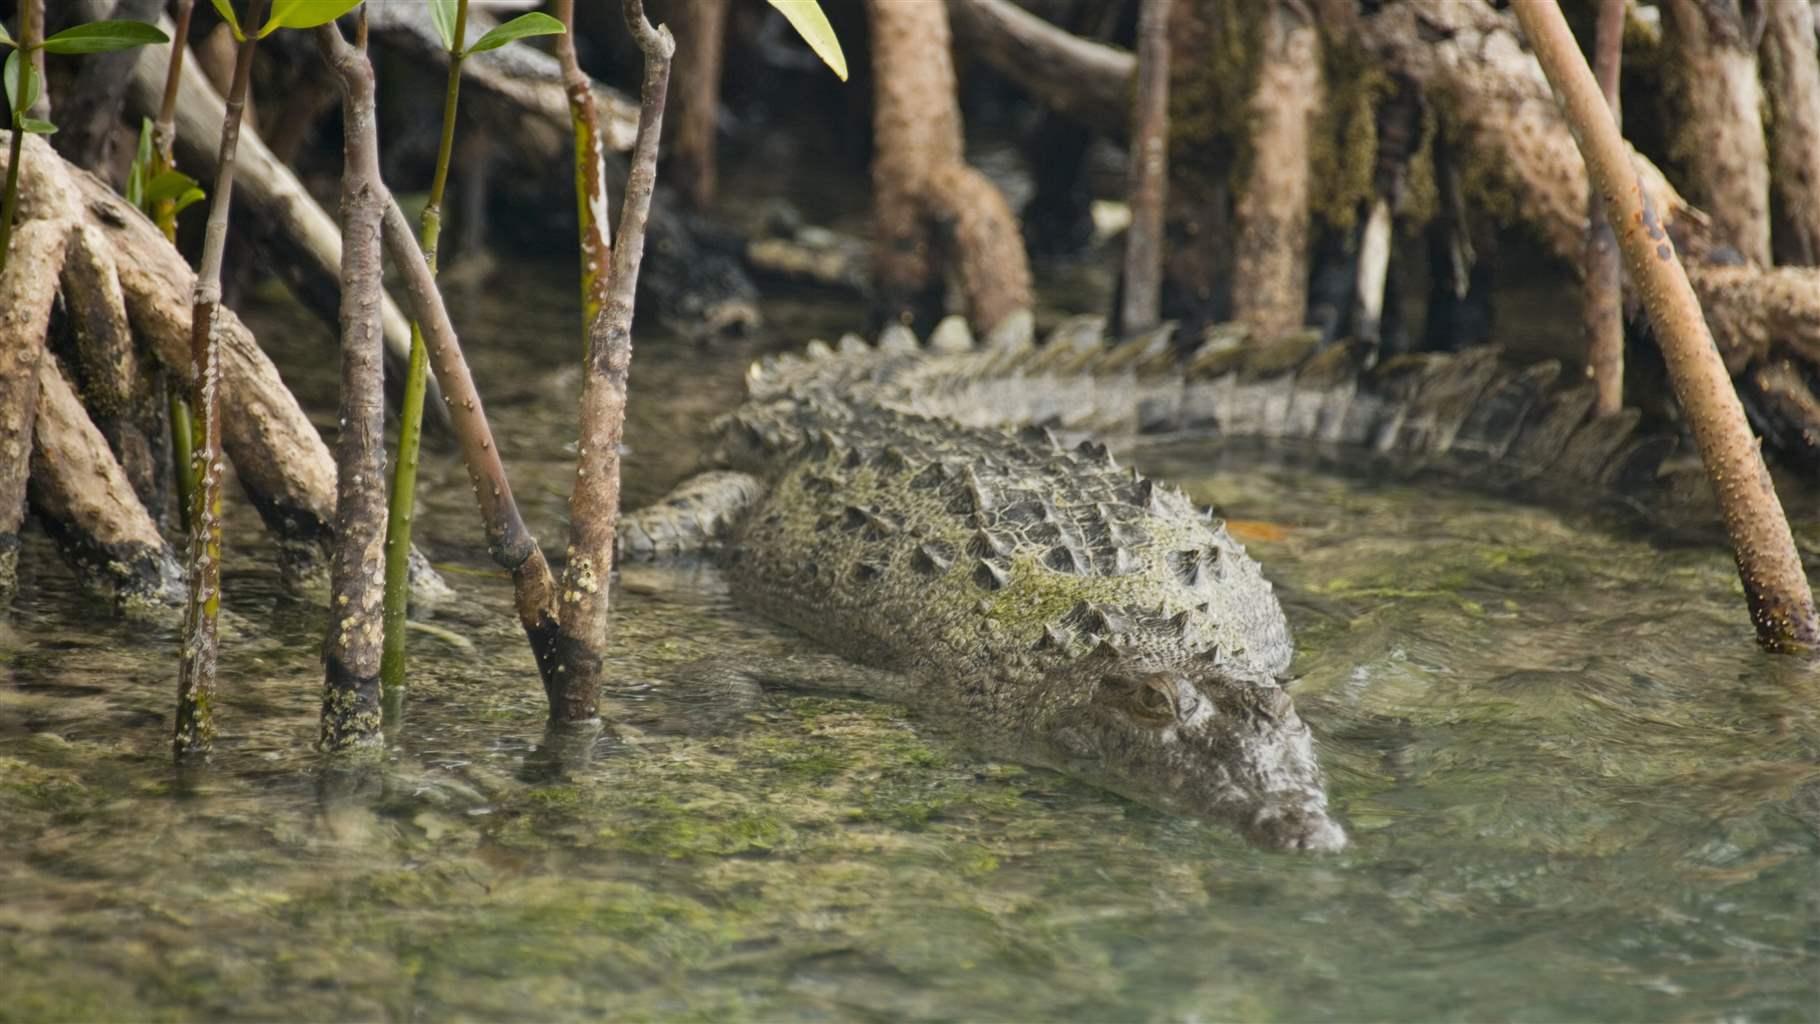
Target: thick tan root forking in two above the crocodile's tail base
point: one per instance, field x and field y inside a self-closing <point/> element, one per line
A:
<point x="916" y="181"/>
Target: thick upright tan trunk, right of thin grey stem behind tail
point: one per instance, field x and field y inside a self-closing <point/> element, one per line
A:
<point x="1271" y="259"/>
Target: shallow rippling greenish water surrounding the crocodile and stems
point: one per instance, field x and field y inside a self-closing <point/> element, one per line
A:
<point x="1577" y="790"/>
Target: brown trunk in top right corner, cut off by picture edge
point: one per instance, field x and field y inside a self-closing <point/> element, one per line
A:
<point x="1792" y="72"/>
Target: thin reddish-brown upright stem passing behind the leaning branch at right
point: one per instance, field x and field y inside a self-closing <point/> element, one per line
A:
<point x="1603" y="306"/>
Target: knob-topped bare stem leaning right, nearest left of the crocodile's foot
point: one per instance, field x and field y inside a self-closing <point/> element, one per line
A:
<point x="594" y="501"/>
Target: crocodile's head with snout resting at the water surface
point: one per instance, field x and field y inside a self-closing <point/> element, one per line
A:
<point x="1202" y="743"/>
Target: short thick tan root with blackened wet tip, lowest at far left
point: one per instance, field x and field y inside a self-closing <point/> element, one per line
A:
<point x="92" y="510"/>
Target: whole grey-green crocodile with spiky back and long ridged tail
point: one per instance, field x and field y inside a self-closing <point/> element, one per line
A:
<point x="918" y="510"/>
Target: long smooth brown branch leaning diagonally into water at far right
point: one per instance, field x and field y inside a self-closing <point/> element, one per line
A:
<point x="1775" y="587"/>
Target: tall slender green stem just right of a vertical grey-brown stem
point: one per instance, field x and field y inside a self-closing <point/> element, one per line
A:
<point x="412" y="412"/>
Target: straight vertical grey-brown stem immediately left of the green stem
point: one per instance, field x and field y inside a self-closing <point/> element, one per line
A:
<point x="354" y="643"/>
